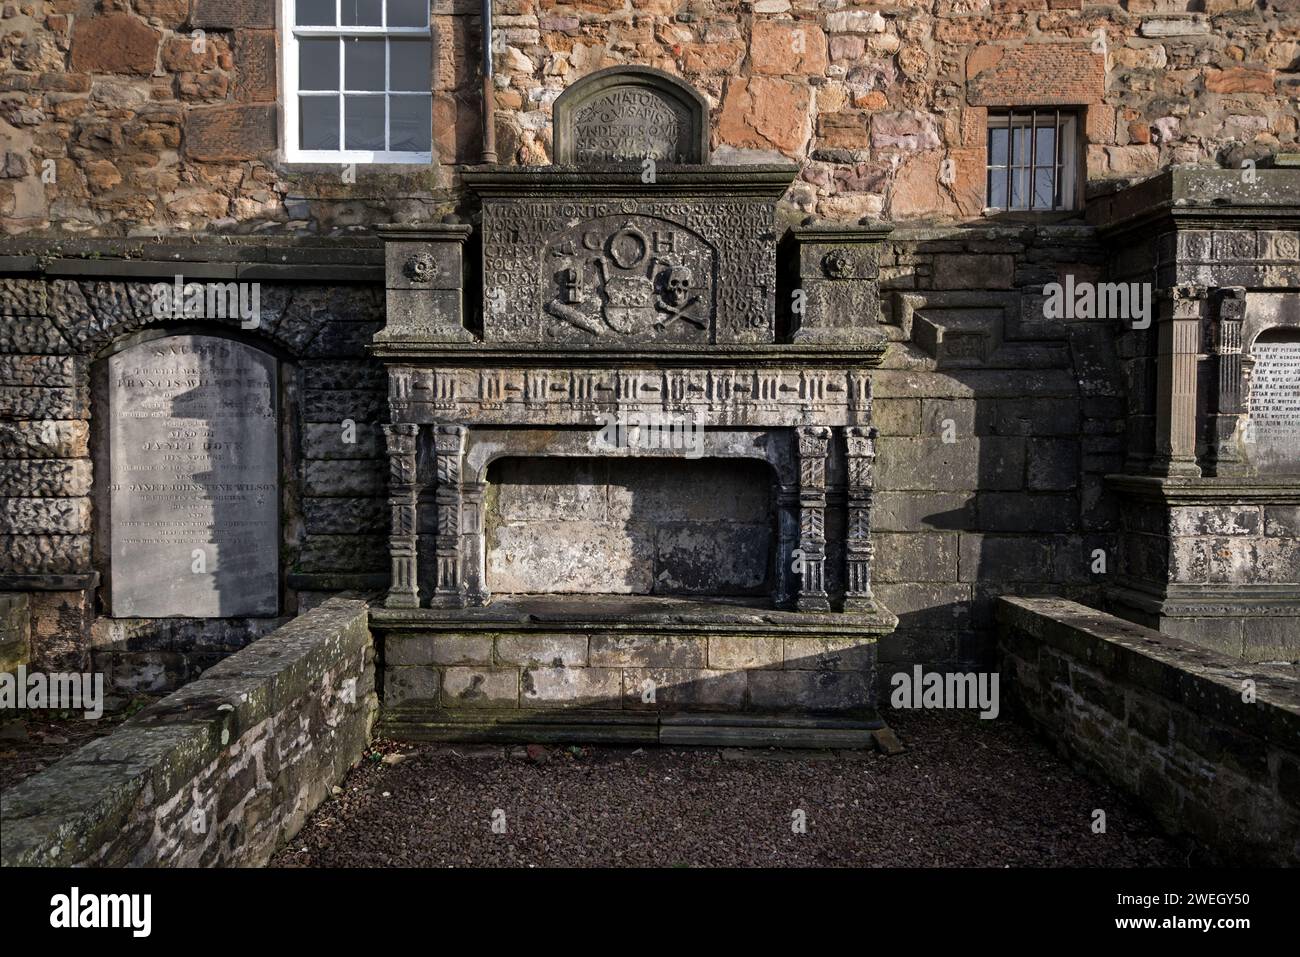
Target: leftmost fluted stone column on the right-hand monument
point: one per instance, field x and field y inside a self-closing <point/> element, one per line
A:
<point x="1178" y="349"/>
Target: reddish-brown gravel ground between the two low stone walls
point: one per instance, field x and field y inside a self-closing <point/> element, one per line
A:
<point x="965" y="794"/>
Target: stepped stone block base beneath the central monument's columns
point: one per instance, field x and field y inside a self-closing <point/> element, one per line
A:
<point x="647" y="670"/>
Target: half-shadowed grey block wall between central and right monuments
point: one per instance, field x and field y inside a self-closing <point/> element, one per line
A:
<point x="996" y="431"/>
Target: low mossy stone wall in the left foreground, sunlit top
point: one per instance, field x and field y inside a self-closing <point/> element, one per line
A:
<point x="222" y="773"/>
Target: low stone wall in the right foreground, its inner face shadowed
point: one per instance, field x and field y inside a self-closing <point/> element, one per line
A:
<point x="1165" y="720"/>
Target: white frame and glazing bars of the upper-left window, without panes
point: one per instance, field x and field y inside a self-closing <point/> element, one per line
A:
<point x="291" y="34"/>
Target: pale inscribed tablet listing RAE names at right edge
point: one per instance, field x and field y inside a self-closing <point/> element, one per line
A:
<point x="1273" y="432"/>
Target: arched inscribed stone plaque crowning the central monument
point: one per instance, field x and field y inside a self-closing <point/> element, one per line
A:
<point x="626" y="115"/>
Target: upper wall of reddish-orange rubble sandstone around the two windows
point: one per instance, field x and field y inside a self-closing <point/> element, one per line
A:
<point x="112" y="123"/>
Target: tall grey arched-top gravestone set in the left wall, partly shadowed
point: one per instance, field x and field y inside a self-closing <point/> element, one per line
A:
<point x="194" y="480"/>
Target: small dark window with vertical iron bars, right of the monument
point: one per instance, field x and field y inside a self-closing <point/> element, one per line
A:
<point x="1033" y="157"/>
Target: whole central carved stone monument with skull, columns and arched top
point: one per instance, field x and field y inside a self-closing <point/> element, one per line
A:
<point x="538" y="566"/>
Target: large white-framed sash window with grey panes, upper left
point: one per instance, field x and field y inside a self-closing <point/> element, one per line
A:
<point x="359" y="83"/>
